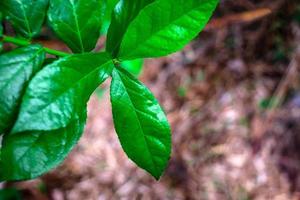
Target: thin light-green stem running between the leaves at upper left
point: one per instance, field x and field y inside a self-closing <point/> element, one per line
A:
<point x="23" y="42"/>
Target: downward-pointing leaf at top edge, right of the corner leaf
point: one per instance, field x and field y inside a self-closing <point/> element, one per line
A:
<point x="77" y="22"/>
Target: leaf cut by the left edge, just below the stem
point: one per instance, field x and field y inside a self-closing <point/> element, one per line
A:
<point x="16" y="69"/>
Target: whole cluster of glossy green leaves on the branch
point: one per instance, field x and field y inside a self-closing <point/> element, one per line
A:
<point x="43" y="101"/>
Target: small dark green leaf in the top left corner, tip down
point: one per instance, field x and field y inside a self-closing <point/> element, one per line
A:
<point x="26" y="16"/>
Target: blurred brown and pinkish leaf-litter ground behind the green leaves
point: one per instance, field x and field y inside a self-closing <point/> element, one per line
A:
<point x="232" y="97"/>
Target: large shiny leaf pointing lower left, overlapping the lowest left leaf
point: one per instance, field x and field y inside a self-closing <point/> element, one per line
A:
<point x="61" y="91"/>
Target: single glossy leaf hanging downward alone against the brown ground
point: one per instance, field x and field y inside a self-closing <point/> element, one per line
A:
<point x="142" y="126"/>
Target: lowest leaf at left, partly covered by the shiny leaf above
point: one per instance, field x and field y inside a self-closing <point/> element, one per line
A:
<point x="31" y="154"/>
